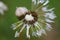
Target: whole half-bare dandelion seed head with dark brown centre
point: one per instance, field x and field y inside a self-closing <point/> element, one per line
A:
<point x="38" y="20"/>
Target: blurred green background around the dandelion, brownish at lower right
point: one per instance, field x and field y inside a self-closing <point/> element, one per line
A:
<point x="6" y="33"/>
